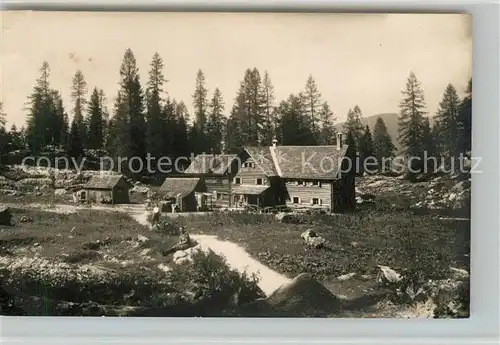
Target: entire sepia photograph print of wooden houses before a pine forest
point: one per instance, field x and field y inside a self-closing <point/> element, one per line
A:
<point x="235" y="164"/>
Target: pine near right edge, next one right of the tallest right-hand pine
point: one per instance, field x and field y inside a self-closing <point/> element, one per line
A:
<point x="447" y="117"/>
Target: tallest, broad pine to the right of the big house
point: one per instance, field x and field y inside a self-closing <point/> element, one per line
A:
<point x="412" y="112"/>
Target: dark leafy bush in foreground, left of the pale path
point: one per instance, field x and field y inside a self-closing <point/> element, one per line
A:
<point x="211" y="286"/>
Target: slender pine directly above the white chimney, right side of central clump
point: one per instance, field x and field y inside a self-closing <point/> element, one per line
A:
<point x="270" y="114"/>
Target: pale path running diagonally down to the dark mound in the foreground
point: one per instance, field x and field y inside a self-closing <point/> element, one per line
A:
<point x="240" y="260"/>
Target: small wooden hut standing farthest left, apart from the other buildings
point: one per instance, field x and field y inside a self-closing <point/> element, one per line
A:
<point x="106" y="189"/>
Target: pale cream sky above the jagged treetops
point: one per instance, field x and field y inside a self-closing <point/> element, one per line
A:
<point x="355" y="59"/>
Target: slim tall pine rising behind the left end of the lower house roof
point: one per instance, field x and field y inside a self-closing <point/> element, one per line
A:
<point x="200" y="105"/>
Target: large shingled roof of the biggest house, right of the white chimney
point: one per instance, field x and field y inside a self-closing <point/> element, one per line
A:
<point x="308" y="162"/>
